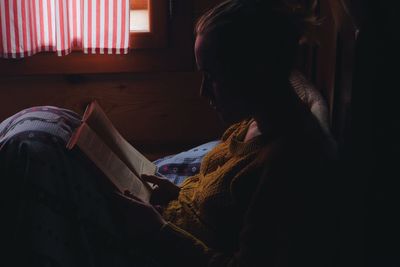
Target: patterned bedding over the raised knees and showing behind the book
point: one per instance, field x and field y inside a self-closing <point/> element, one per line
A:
<point x="55" y="203"/>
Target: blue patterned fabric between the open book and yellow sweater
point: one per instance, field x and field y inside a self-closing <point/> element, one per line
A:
<point x="180" y="166"/>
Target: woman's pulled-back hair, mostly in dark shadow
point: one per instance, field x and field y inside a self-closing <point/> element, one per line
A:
<point x="254" y="32"/>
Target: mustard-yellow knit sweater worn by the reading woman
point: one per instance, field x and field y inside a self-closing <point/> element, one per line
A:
<point x="269" y="201"/>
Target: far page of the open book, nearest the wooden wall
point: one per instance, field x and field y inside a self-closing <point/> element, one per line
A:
<point x="96" y="118"/>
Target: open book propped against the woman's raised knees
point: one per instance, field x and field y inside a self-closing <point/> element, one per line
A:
<point x="111" y="153"/>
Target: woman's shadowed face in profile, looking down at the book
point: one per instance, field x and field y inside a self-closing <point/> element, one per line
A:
<point x="224" y="92"/>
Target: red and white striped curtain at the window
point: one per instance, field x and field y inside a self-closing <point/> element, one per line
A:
<point x="94" y="26"/>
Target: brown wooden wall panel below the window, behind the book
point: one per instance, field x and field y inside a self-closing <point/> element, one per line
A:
<point x="159" y="112"/>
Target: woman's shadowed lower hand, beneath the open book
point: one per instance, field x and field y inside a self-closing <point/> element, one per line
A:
<point x="137" y="218"/>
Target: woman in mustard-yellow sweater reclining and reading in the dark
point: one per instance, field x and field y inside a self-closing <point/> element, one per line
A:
<point x="251" y="203"/>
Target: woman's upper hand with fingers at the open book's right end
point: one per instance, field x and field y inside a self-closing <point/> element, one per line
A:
<point x="164" y="192"/>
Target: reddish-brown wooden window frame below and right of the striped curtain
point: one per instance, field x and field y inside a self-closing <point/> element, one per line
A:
<point x="167" y="47"/>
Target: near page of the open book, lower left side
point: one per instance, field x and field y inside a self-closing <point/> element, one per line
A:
<point x="106" y="160"/>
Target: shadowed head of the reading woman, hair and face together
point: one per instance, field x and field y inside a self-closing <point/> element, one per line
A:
<point x="246" y="50"/>
